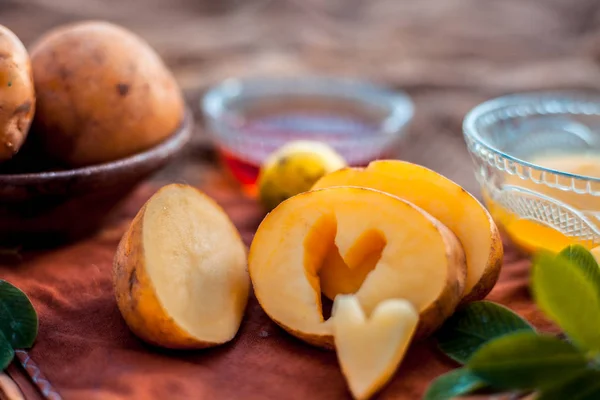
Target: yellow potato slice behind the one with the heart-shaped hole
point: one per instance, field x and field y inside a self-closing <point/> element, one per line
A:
<point x="444" y="200"/>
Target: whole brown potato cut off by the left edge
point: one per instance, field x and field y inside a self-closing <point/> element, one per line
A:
<point x="17" y="94"/>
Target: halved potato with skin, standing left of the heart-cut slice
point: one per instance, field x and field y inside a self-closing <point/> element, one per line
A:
<point x="180" y="274"/>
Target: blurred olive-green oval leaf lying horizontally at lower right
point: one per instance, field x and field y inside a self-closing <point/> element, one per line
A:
<point x="525" y="360"/>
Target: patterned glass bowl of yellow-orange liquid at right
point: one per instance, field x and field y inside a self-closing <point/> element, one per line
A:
<point x="537" y="159"/>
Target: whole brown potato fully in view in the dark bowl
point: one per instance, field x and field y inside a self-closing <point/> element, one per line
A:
<point x="102" y="94"/>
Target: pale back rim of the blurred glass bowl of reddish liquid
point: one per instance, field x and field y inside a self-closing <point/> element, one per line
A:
<point x="398" y="105"/>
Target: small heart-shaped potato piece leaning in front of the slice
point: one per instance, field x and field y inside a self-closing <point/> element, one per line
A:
<point x="370" y="348"/>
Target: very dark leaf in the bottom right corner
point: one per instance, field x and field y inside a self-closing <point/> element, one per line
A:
<point x="584" y="385"/>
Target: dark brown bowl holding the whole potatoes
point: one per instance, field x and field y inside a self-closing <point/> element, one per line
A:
<point x="45" y="208"/>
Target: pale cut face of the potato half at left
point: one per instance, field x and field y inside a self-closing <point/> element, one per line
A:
<point x="197" y="263"/>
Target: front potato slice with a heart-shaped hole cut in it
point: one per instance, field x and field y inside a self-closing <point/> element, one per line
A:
<point x="421" y="260"/>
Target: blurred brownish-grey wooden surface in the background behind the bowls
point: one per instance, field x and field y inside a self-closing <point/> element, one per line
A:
<point x="447" y="54"/>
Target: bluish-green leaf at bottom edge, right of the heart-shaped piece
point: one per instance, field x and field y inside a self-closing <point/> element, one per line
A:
<point x="454" y="383"/>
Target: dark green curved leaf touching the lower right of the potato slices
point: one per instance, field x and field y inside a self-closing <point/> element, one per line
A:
<point x="475" y="324"/>
